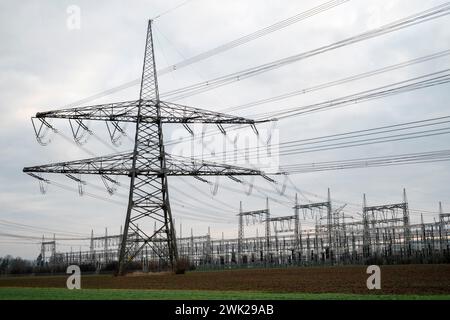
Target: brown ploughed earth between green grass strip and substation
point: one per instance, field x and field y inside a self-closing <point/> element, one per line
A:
<point x="400" y="279"/>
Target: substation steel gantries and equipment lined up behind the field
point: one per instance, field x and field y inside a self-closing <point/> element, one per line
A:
<point x="383" y="235"/>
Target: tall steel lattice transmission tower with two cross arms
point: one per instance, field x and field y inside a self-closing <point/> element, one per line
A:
<point x="148" y="165"/>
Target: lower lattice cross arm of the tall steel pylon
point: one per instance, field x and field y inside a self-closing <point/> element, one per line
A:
<point x="121" y="164"/>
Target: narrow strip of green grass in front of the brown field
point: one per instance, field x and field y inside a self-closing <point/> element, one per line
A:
<point x="123" y="294"/>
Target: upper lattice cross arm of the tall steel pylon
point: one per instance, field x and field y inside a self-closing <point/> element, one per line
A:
<point x="128" y="111"/>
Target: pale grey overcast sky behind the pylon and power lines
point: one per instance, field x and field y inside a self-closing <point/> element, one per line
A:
<point x="45" y="65"/>
